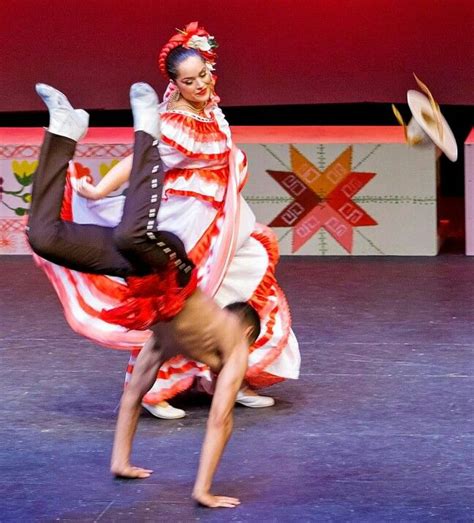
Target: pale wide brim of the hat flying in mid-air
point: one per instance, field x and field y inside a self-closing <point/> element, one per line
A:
<point x="418" y="104"/>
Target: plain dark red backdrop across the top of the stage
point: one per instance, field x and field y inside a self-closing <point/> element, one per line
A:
<point x="271" y="52"/>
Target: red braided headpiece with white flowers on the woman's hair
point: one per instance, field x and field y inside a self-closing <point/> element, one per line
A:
<point x="191" y="37"/>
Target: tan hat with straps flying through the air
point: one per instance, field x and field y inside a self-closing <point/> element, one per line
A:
<point x="427" y="123"/>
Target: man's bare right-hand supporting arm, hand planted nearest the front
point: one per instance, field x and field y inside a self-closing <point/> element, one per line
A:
<point x="219" y="427"/>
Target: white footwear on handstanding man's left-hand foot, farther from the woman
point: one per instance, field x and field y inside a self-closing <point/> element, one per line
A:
<point x="64" y="120"/>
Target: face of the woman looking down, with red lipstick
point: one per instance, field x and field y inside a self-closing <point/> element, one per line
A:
<point x="194" y="81"/>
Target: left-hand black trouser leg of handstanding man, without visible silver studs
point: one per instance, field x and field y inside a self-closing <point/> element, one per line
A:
<point x="85" y="248"/>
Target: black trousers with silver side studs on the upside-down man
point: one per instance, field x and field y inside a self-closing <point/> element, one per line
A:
<point x="124" y="250"/>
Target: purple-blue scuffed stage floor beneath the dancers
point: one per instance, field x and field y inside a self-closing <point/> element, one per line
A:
<point x="378" y="429"/>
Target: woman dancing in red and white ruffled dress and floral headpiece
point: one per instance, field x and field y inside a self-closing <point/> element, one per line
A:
<point x="201" y="204"/>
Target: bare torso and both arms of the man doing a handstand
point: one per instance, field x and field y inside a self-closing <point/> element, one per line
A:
<point x="226" y="353"/>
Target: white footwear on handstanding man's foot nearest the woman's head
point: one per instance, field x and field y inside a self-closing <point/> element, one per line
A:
<point x="144" y="103"/>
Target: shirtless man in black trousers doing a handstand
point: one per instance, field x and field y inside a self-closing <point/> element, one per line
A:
<point x="200" y="329"/>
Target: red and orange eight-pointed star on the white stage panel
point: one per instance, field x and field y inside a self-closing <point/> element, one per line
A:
<point x="322" y="199"/>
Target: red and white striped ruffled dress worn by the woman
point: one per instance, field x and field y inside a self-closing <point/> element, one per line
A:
<point x="235" y="256"/>
